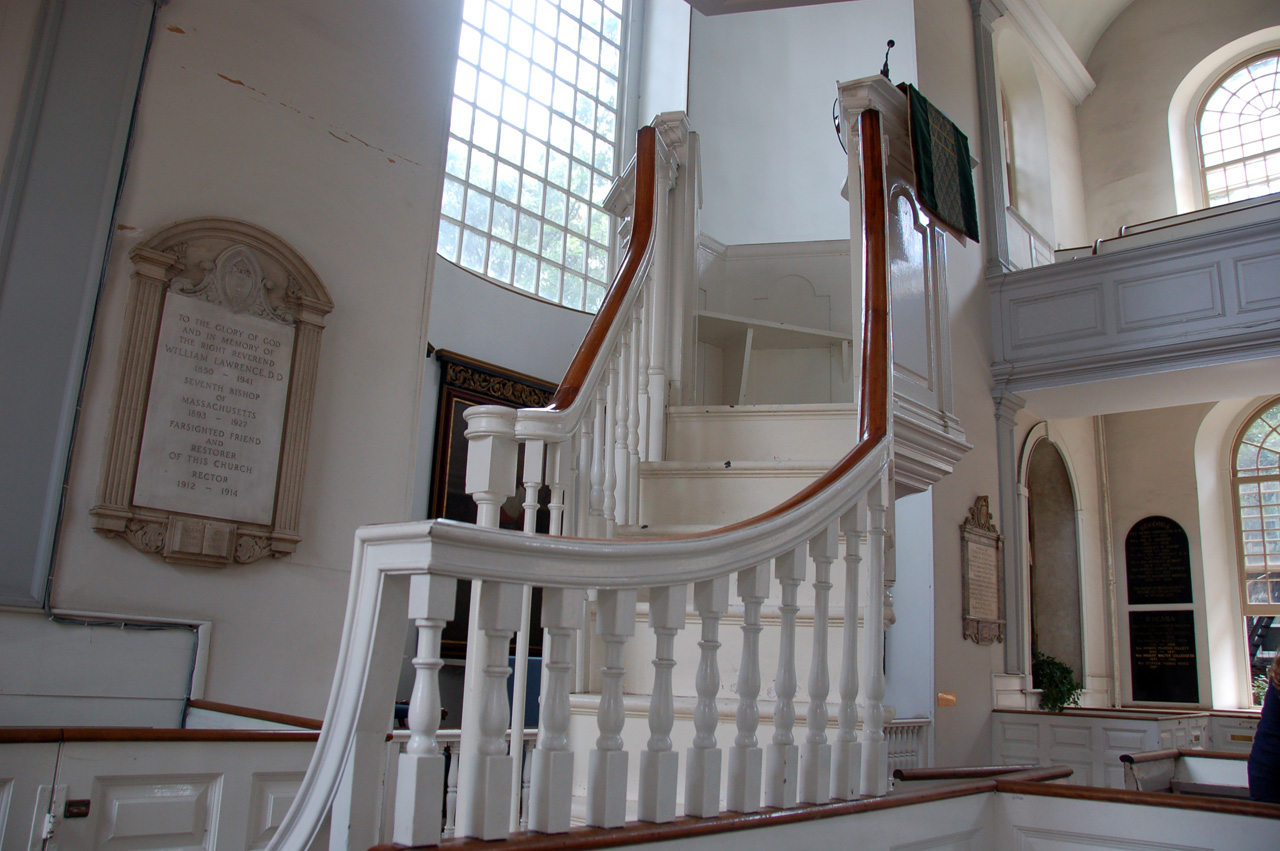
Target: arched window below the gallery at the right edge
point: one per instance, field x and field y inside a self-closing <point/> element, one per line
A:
<point x="1256" y="487"/>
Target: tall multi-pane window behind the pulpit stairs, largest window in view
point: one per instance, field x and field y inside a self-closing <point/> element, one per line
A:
<point x="533" y="145"/>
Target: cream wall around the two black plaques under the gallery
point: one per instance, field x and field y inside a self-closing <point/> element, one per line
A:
<point x="1151" y="472"/>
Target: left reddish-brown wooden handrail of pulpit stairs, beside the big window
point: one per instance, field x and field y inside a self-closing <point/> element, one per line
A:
<point x="642" y="236"/>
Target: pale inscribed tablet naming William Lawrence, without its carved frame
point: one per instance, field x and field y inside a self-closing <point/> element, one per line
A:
<point x="212" y="441"/>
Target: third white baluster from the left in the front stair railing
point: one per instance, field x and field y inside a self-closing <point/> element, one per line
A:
<point x="552" y="785"/>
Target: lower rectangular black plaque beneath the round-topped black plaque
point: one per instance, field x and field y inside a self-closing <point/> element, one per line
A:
<point x="1163" y="657"/>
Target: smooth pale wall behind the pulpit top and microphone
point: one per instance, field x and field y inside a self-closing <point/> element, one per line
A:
<point x="761" y="90"/>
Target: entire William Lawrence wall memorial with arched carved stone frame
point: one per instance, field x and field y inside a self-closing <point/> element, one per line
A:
<point x="268" y="308"/>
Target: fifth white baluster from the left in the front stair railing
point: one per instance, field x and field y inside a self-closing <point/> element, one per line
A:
<point x="660" y="766"/>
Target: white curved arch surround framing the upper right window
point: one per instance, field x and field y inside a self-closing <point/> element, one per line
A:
<point x="1185" y="106"/>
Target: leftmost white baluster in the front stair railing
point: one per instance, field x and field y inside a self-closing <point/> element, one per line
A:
<point x="420" y="777"/>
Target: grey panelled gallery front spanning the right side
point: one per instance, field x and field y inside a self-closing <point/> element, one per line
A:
<point x="1186" y="294"/>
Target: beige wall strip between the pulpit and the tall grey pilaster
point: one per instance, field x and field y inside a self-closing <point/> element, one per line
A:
<point x="963" y="731"/>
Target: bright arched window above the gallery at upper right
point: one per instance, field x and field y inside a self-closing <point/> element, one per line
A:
<point x="1240" y="132"/>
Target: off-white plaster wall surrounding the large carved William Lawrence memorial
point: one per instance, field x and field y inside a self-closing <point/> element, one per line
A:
<point x="324" y="123"/>
